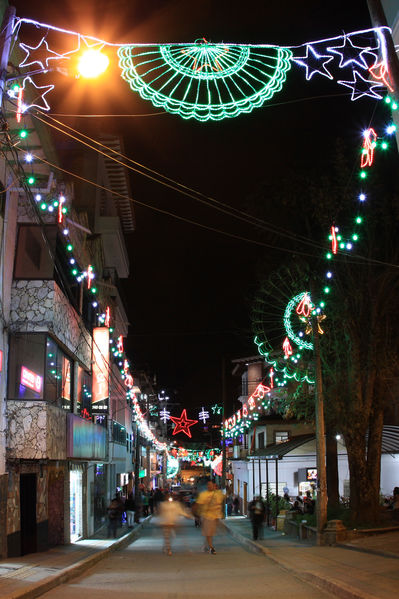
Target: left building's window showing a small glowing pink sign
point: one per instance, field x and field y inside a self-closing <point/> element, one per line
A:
<point x="26" y="360"/>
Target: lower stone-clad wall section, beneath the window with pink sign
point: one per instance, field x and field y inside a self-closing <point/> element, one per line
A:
<point x="36" y="431"/>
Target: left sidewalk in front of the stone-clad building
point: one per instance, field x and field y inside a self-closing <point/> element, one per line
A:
<point x="32" y="575"/>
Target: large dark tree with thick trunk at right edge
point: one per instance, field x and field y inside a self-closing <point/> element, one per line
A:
<point x="360" y="345"/>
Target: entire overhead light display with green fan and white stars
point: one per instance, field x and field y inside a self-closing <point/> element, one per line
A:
<point x="201" y="80"/>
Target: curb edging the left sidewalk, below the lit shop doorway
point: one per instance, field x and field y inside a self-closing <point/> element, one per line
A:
<point x="38" y="589"/>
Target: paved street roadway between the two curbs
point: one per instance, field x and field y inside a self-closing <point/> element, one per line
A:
<point x="143" y="570"/>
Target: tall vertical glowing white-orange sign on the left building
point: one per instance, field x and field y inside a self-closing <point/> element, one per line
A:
<point x="100" y="391"/>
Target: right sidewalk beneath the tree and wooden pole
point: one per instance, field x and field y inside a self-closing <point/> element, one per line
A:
<point x="368" y="568"/>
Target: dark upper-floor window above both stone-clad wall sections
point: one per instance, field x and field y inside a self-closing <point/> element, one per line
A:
<point x="35" y="252"/>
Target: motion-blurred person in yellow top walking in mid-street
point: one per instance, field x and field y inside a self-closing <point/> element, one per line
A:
<point x="209" y="506"/>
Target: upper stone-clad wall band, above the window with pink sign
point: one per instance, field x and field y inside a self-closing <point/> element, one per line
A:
<point x="40" y="306"/>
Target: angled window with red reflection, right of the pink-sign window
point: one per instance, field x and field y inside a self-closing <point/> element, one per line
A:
<point x="58" y="377"/>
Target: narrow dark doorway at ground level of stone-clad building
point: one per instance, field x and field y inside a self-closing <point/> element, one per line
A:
<point x="28" y="513"/>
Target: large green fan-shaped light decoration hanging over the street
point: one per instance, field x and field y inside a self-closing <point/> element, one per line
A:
<point x="205" y="81"/>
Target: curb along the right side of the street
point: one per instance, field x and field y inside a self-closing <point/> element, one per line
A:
<point x="340" y="589"/>
